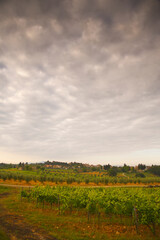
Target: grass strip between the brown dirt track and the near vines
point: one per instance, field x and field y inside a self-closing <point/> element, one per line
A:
<point x="73" y="226"/>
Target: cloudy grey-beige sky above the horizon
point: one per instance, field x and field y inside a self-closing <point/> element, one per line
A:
<point x="80" y="81"/>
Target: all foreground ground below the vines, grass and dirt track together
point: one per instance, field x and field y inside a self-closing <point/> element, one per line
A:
<point x="25" y="220"/>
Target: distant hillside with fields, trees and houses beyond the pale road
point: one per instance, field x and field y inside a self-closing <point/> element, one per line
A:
<point x="77" y="173"/>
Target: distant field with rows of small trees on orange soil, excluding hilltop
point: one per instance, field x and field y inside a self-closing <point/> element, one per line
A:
<point x="70" y="177"/>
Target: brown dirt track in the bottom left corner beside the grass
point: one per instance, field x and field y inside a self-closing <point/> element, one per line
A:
<point x="17" y="229"/>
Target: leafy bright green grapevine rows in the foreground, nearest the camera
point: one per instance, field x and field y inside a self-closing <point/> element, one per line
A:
<point x="141" y="205"/>
